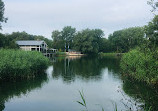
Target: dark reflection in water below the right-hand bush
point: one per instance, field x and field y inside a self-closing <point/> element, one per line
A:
<point x="141" y="93"/>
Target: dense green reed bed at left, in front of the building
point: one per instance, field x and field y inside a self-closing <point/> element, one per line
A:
<point x="21" y="64"/>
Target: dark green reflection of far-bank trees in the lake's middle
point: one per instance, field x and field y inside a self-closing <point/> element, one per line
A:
<point x="86" y="68"/>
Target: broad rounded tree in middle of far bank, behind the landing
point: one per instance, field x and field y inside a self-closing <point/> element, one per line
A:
<point x="88" y="41"/>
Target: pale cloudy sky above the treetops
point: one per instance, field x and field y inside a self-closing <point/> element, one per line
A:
<point x="41" y="17"/>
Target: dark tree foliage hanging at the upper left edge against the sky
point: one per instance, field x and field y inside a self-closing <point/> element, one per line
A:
<point x="2" y="18"/>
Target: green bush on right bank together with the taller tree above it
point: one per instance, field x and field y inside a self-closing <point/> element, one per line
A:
<point x="142" y="63"/>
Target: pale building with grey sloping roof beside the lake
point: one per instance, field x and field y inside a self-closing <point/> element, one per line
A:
<point x="33" y="45"/>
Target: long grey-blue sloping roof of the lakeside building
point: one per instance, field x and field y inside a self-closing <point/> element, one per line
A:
<point x="29" y="42"/>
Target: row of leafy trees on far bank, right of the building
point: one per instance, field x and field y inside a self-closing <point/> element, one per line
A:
<point x="93" y="41"/>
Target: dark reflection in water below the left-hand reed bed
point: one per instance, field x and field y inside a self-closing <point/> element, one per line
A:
<point x="10" y="89"/>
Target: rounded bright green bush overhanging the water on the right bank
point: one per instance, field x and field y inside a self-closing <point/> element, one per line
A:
<point x="141" y="66"/>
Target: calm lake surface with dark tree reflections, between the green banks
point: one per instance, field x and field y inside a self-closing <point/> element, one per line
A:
<point x="58" y="89"/>
